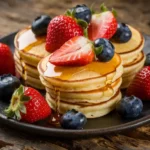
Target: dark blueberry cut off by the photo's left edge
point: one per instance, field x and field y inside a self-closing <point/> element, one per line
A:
<point x="8" y="84"/>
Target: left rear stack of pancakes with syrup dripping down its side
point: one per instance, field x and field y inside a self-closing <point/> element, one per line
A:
<point x="29" y="50"/>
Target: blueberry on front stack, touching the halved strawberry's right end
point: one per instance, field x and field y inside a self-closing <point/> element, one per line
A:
<point x="104" y="49"/>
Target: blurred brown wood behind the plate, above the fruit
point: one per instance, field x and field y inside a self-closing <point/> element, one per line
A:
<point x="17" y="14"/>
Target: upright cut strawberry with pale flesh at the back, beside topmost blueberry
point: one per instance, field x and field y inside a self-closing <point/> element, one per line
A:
<point x="103" y="25"/>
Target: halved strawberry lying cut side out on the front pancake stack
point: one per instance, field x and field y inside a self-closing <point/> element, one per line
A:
<point x="75" y="52"/>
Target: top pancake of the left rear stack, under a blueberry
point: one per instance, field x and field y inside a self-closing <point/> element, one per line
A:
<point x="30" y="48"/>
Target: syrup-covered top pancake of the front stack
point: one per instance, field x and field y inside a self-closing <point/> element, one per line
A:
<point x="83" y="78"/>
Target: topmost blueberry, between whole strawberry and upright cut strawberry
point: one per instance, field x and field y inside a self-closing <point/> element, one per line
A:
<point x="83" y="12"/>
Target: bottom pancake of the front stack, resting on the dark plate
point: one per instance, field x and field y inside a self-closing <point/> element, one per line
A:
<point x="90" y="111"/>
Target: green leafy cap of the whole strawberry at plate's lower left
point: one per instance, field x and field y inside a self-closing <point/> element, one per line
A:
<point x="17" y="104"/>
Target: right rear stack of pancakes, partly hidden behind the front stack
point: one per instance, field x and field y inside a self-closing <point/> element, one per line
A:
<point x="132" y="56"/>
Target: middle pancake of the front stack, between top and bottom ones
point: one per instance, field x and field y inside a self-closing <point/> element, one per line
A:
<point x="92" y="96"/>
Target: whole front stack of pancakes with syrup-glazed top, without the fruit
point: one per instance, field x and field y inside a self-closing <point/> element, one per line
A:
<point x="93" y="89"/>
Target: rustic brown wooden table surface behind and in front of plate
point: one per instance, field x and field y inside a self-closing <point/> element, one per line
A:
<point x="16" y="14"/>
